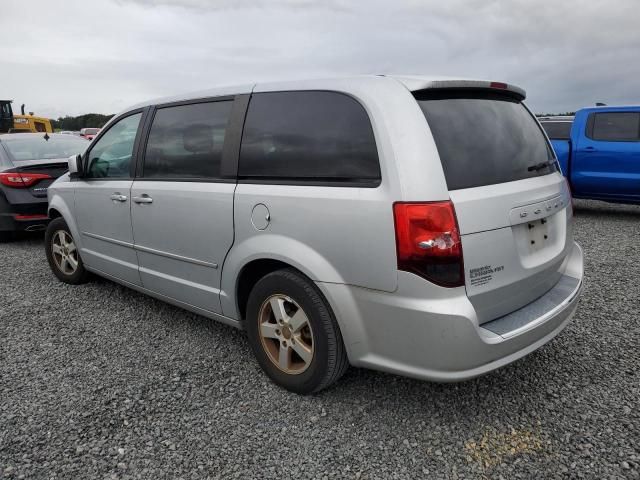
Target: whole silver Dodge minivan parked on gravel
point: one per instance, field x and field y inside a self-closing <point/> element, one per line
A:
<point x="414" y="225"/>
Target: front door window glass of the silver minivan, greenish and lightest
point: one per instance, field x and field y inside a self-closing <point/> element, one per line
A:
<point x="111" y="156"/>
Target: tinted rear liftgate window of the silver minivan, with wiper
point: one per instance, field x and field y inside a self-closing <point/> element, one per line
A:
<point x="485" y="138"/>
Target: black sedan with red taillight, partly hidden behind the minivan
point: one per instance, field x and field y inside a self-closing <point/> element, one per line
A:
<point x="29" y="163"/>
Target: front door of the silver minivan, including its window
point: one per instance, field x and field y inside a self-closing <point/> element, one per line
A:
<point x="103" y="203"/>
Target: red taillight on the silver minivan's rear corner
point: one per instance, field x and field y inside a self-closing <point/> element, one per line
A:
<point x="428" y="242"/>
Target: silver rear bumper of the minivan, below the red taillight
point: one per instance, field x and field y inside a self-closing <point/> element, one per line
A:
<point x="432" y="333"/>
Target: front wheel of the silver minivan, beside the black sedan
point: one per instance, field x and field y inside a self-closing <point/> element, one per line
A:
<point x="64" y="269"/>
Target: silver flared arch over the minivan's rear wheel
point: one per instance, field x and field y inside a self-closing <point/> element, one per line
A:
<point x="272" y="247"/>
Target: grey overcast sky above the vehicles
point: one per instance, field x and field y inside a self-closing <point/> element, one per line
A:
<point x="79" y="56"/>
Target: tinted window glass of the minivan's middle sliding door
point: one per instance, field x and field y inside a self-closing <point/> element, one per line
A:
<point x="186" y="141"/>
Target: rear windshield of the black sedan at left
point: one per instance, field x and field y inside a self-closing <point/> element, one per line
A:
<point x="35" y="147"/>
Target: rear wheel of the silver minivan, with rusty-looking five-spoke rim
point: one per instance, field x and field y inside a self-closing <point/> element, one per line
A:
<point x="290" y="291"/>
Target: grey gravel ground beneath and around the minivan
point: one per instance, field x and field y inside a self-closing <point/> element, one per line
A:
<point x="98" y="381"/>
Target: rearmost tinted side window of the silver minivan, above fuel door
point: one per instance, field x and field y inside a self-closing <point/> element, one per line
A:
<point x="310" y="136"/>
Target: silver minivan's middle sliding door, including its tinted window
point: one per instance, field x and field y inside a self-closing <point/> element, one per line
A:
<point x="182" y="208"/>
